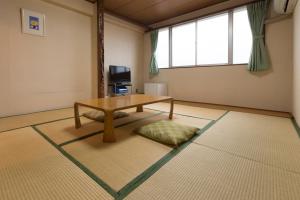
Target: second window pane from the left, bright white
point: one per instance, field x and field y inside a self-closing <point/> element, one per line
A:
<point x="183" y="44"/>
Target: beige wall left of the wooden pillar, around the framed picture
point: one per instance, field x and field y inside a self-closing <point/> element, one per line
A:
<point x="40" y="73"/>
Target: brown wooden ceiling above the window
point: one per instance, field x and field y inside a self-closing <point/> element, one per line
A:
<point x="160" y="13"/>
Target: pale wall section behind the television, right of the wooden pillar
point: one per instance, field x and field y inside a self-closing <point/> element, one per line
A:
<point x="124" y="45"/>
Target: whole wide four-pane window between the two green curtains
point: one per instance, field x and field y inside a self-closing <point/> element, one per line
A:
<point x="225" y="38"/>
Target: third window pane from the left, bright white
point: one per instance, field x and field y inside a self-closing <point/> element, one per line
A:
<point x="212" y="40"/>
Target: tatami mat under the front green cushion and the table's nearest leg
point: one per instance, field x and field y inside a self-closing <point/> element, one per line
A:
<point x="119" y="163"/>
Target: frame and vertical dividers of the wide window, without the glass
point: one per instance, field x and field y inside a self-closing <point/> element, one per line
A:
<point x="230" y="41"/>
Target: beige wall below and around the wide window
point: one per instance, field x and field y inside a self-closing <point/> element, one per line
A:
<point x="234" y="85"/>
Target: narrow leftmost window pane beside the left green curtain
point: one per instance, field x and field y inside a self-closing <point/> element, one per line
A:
<point x="162" y="50"/>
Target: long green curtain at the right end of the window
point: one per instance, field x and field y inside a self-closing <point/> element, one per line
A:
<point x="259" y="58"/>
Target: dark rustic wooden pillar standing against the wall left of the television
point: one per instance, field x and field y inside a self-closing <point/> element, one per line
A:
<point x="100" y="51"/>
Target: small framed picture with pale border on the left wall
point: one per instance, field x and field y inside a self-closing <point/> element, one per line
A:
<point x="33" y="22"/>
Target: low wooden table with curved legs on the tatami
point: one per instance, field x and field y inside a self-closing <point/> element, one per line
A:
<point x="111" y="104"/>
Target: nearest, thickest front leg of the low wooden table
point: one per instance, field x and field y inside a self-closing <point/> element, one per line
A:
<point x="108" y="128"/>
